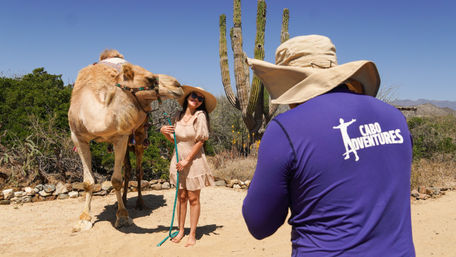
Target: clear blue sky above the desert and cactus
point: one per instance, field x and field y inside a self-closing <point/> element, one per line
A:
<point x="412" y="42"/>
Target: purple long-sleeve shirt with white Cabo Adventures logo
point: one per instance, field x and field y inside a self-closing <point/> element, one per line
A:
<point x="341" y="162"/>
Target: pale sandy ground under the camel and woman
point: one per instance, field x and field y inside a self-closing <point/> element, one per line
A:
<point x="44" y="228"/>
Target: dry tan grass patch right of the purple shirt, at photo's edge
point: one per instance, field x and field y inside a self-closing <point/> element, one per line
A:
<point x="439" y="171"/>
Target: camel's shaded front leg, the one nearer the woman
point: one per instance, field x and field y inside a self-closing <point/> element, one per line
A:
<point x="120" y="146"/>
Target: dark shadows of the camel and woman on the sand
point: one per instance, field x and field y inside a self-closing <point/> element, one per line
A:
<point x="152" y="203"/>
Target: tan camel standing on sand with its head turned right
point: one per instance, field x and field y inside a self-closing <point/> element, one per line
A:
<point x="109" y="102"/>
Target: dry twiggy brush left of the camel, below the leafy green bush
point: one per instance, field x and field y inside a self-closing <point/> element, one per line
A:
<point x="45" y="154"/>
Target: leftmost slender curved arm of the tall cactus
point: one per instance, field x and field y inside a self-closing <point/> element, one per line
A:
<point x="224" y="68"/>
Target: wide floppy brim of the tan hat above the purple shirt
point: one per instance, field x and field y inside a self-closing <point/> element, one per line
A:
<point x="290" y="84"/>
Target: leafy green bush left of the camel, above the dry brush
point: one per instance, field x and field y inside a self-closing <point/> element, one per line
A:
<point x="39" y="94"/>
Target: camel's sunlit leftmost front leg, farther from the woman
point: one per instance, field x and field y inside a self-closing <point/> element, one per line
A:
<point x="89" y="181"/>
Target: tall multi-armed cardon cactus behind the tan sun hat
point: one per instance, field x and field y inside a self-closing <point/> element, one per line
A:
<point x="250" y="98"/>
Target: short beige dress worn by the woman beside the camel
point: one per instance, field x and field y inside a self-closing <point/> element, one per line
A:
<point x="198" y="174"/>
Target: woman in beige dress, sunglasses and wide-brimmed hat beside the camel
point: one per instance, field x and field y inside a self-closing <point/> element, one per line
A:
<point x="191" y="129"/>
